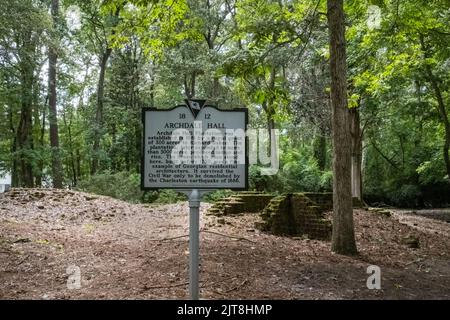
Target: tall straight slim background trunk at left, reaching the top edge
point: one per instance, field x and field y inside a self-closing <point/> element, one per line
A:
<point x="57" y="173"/>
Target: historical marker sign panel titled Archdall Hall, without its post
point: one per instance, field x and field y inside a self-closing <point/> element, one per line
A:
<point x="194" y="146"/>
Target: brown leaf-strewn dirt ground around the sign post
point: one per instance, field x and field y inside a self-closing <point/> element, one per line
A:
<point x="135" y="251"/>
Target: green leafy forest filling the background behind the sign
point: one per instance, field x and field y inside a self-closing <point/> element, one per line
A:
<point x="75" y="75"/>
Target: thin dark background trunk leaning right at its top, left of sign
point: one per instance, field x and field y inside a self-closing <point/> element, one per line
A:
<point x="99" y="111"/>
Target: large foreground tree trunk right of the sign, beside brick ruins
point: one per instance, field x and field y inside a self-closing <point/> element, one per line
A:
<point x="343" y="236"/>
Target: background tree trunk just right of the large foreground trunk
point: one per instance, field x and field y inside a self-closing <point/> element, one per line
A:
<point x="356" y="153"/>
